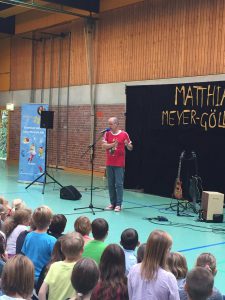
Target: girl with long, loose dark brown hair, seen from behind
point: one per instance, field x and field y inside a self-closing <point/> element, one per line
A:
<point x="113" y="282"/>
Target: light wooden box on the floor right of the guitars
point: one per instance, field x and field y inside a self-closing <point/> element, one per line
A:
<point x="212" y="204"/>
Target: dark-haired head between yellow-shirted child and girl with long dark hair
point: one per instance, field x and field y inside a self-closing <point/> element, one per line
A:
<point x="85" y="276"/>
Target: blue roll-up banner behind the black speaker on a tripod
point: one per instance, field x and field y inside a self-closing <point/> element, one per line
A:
<point x="32" y="143"/>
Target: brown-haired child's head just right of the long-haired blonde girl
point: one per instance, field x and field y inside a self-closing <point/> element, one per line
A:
<point x="177" y="264"/>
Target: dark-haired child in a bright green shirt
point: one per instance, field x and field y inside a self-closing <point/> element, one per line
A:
<point x="94" y="249"/>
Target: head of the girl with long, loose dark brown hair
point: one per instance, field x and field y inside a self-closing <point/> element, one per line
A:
<point x="112" y="263"/>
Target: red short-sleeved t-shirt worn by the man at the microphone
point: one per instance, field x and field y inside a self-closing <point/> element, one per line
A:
<point x="116" y="157"/>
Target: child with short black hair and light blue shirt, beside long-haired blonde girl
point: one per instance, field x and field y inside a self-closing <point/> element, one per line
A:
<point x="129" y="241"/>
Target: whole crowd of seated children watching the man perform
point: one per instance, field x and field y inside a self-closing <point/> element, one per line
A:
<point x="155" y="272"/>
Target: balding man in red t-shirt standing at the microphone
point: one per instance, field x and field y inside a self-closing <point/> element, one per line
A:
<point x="114" y="142"/>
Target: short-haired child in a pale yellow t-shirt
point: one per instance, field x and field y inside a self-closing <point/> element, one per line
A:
<point x="57" y="283"/>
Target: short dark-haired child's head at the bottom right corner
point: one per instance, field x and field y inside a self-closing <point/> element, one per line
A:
<point x="199" y="284"/>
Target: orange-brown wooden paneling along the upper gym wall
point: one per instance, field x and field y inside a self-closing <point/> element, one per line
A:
<point x="146" y="40"/>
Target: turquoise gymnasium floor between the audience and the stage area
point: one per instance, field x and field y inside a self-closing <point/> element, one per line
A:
<point x="189" y="235"/>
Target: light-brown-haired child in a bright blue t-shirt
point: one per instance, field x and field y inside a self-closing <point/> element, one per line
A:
<point x="38" y="245"/>
